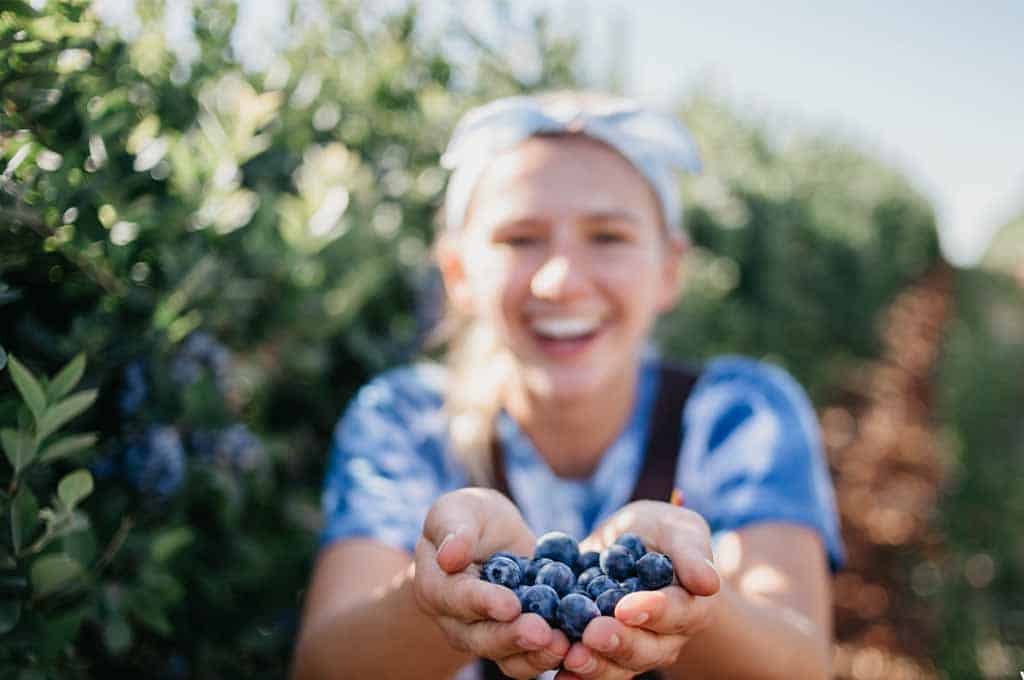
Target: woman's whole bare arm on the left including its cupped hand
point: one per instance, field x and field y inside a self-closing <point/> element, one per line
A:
<point x="373" y="612"/>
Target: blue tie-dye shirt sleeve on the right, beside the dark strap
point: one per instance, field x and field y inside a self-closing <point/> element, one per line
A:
<point x="753" y="453"/>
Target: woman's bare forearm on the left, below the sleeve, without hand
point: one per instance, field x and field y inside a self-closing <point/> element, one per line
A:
<point x="361" y="603"/>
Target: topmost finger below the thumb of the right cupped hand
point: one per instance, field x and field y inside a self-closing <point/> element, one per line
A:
<point x="670" y="611"/>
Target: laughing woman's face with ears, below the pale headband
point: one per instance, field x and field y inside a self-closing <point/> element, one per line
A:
<point x="564" y="254"/>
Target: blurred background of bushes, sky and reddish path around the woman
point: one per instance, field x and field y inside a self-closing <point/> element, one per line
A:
<point x="216" y="222"/>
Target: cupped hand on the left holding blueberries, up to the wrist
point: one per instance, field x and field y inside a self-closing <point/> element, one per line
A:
<point x="465" y="528"/>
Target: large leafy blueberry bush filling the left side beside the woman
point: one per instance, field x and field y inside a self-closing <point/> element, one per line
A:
<point x="235" y="252"/>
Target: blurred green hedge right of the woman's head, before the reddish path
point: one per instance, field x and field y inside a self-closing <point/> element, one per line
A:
<point x="801" y="242"/>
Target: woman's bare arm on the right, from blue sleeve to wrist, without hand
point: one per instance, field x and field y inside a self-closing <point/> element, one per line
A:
<point x="773" y="618"/>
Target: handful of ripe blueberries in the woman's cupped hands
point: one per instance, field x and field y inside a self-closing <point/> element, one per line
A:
<point x="569" y="588"/>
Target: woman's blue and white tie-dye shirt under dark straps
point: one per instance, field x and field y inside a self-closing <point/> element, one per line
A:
<point x="752" y="452"/>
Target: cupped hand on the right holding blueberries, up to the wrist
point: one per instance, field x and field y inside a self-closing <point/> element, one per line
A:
<point x="650" y="628"/>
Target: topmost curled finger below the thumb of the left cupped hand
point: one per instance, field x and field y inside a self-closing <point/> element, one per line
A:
<point x="463" y="596"/>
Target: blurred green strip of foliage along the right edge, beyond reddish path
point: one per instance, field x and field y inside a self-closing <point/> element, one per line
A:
<point x="980" y="582"/>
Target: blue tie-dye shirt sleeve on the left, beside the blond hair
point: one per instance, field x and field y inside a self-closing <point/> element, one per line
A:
<point x="386" y="467"/>
